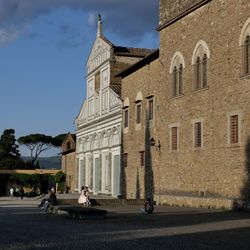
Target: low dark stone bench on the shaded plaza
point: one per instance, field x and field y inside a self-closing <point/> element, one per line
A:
<point x="77" y="212"/>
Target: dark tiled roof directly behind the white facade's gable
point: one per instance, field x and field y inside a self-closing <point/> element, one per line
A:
<point x="127" y="51"/>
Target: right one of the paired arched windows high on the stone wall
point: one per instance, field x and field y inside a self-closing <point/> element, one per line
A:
<point x="201" y="55"/>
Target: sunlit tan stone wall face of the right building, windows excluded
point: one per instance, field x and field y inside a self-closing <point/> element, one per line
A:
<point x="218" y="169"/>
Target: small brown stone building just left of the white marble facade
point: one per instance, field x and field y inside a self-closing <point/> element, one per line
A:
<point x="69" y="160"/>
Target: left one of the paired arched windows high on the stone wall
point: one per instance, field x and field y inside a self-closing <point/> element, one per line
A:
<point x="176" y="72"/>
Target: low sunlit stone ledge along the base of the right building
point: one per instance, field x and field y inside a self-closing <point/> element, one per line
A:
<point x="196" y="202"/>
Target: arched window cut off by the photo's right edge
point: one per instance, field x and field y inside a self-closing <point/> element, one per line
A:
<point x="244" y="42"/>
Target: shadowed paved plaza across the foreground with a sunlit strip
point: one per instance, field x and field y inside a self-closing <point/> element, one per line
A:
<point x="23" y="227"/>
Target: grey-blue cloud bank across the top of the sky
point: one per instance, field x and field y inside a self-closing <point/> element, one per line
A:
<point x="129" y="19"/>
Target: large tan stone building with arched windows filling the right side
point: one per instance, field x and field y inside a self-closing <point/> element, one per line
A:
<point x="186" y="127"/>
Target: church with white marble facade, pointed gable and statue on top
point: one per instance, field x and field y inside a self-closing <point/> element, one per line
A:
<point x="99" y="121"/>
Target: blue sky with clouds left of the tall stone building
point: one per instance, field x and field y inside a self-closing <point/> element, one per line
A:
<point x="44" y="46"/>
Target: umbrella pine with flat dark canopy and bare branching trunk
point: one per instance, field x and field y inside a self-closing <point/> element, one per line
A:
<point x="38" y="143"/>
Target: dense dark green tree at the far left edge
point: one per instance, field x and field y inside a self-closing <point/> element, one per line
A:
<point x="9" y="152"/>
